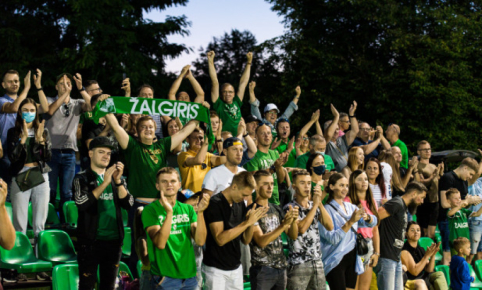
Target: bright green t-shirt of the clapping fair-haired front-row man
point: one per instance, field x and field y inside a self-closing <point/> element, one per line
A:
<point x="177" y="259"/>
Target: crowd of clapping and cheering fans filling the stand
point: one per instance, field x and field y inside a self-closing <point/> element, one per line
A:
<point x="207" y="215"/>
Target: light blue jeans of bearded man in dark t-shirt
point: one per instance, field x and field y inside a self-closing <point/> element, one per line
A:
<point x="389" y="274"/>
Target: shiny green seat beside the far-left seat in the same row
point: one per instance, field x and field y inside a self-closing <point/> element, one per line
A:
<point x="55" y="246"/>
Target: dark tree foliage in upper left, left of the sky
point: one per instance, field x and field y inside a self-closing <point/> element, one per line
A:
<point x="100" y="39"/>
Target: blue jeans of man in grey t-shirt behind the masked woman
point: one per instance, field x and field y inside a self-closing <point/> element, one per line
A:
<point x="63" y="171"/>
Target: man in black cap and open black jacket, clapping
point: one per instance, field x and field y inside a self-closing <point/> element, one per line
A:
<point x="99" y="195"/>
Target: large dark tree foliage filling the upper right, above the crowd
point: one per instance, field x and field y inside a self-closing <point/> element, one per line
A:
<point x="415" y="63"/>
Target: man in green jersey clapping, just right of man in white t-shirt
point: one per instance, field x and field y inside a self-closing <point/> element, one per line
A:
<point x="267" y="159"/>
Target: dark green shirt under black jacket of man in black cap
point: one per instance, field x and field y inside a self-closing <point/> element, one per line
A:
<point x="107" y="229"/>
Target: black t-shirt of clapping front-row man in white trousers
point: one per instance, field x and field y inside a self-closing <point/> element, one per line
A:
<point x="227" y="257"/>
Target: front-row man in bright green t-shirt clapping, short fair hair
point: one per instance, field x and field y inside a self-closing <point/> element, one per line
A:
<point x="170" y="226"/>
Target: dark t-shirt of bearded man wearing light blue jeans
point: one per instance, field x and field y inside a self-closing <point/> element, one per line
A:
<point x="392" y="229"/>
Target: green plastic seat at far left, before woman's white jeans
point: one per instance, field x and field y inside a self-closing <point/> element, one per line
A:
<point x="22" y="258"/>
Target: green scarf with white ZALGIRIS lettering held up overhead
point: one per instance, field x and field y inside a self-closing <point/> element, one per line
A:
<point x="142" y="106"/>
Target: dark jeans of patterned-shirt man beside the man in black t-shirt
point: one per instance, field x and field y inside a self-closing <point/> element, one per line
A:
<point x="262" y="277"/>
